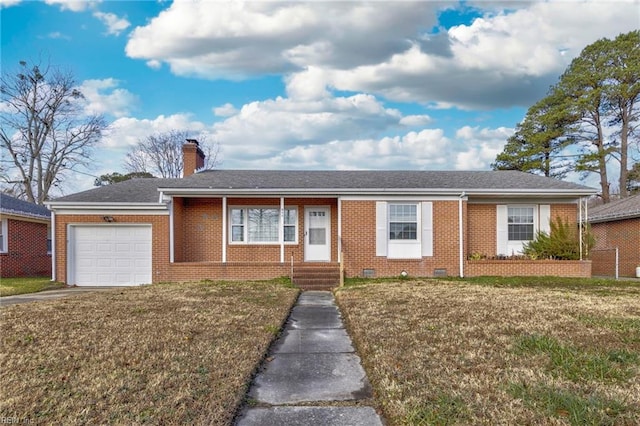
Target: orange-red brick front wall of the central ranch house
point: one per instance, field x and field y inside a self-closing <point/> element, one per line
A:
<point x="198" y="241"/>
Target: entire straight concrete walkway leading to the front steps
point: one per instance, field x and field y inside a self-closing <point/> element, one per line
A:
<point x="313" y="362"/>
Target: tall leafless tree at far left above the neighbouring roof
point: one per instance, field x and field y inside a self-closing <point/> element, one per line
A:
<point x="44" y="129"/>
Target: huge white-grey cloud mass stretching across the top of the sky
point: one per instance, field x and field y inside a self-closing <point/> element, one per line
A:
<point x="507" y="57"/>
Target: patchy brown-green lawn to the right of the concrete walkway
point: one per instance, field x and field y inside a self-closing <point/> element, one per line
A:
<point x="502" y="351"/>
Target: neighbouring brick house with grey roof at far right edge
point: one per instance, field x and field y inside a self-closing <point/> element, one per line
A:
<point x="616" y="225"/>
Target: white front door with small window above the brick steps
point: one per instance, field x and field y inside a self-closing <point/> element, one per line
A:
<point x="317" y="234"/>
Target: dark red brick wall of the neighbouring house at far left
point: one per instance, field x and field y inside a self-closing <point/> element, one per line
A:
<point x="26" y="250"/>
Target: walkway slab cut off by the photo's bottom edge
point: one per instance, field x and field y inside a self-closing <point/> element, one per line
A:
<point x="304" y="416"/>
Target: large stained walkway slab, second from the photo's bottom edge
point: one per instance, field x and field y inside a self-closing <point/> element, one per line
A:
<point x="294" y="378"/>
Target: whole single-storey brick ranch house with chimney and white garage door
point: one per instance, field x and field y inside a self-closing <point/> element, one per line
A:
<point x="258" y="224"/>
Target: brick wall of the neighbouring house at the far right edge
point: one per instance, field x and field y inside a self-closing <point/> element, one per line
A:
<point x="624" y="234"/>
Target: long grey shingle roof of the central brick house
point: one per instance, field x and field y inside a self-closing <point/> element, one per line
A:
<point x="328" y="182"/>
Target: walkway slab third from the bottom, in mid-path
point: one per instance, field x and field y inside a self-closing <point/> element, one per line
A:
<point x="313" y="341"/>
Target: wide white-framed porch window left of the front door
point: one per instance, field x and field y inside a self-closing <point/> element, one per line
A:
<point x="261" y="225"/>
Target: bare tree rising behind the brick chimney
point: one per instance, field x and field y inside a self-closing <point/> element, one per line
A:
<point x="161" y="154"/>
